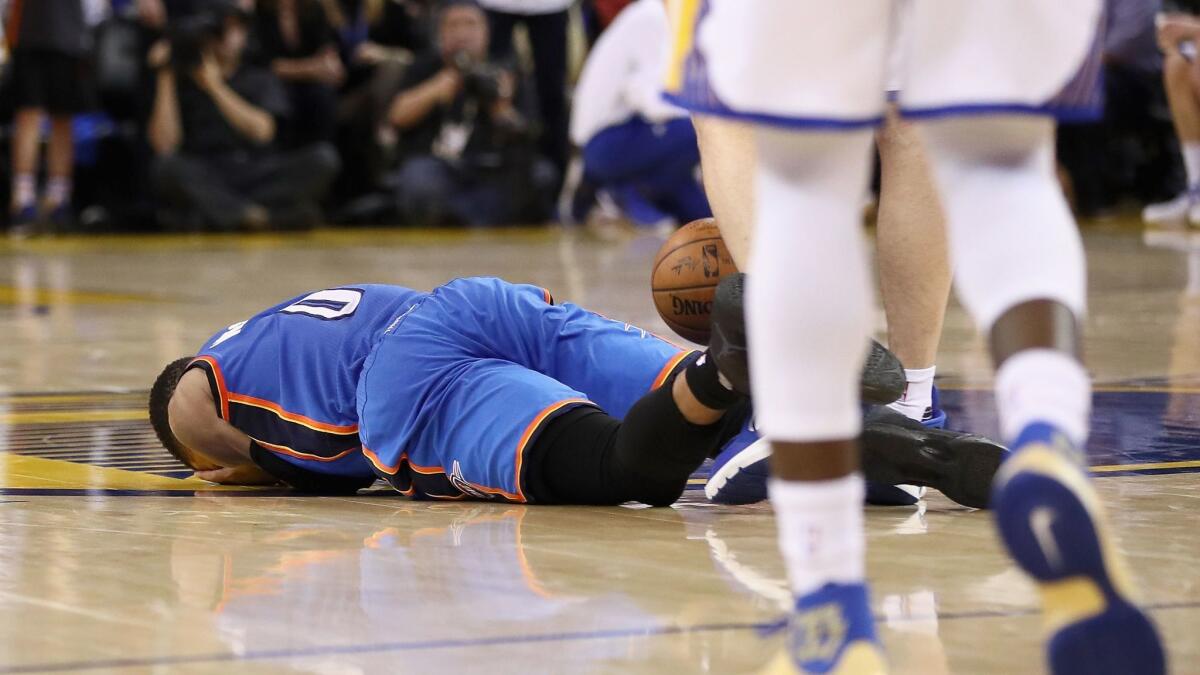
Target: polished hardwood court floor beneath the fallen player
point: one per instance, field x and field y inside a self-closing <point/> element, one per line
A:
<point x="113" y="560"/>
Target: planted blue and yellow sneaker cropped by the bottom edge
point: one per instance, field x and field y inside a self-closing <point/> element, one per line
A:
<point x="832" y="631"/>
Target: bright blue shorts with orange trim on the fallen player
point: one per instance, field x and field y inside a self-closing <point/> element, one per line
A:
<point x="459" y="389"/>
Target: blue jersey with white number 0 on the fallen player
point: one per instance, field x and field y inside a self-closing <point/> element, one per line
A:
<point x="287" y="378"/>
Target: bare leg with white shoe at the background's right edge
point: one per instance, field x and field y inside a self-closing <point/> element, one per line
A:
<point x="1179" y="76"/>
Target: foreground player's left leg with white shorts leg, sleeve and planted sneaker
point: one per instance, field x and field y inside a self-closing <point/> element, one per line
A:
<point x="771" y="63"/>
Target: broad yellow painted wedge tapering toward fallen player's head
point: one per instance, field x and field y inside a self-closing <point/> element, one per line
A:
<point x="21" y="471"/>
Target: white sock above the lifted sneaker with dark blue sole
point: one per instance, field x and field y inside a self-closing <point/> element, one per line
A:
<point x="1043" y="386"/>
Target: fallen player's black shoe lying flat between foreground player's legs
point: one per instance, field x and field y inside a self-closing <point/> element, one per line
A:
<point x="962" y="467"/>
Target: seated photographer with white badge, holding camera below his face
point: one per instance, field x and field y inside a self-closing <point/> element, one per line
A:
<point x="471" y="156"/>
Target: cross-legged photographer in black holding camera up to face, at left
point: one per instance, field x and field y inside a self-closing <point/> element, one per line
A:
<point x="213" y="128"/>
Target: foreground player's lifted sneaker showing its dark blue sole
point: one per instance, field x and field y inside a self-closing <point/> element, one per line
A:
<point x="1054" y="527"/>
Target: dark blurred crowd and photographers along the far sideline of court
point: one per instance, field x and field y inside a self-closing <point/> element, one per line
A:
<point x="283" y="115"/>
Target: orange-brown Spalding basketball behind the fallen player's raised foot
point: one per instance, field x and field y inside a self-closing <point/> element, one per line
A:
<point x="686" y="273"/>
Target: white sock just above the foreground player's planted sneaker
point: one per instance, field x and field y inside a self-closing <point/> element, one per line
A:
<point x="820" y="530"/>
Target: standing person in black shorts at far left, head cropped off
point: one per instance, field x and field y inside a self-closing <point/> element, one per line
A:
<point x="51" y="76"/>
